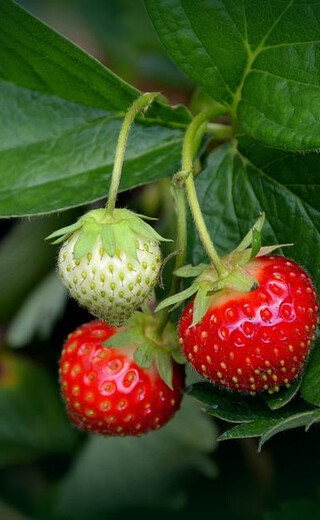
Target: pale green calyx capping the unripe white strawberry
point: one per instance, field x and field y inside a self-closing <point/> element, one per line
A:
<point x="118" y="232"/>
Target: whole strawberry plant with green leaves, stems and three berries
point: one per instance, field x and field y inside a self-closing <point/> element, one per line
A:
<point x="218" y="280"/>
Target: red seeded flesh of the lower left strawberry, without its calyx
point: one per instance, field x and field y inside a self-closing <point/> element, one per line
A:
<point x="106" y="392"/>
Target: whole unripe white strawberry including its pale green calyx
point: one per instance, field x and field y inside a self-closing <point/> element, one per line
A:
<point x="109" y="264"/>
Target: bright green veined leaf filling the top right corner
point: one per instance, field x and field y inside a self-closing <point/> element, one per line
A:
<point x="259" y="70"/>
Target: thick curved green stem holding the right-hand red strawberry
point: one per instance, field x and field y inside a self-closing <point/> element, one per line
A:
<point x="194" y="133"/>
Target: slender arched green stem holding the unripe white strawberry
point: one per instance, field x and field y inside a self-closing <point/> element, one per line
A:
<point x="143" y="102"/>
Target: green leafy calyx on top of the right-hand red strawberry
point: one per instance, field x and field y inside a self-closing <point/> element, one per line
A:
<point x="236" y="277"/>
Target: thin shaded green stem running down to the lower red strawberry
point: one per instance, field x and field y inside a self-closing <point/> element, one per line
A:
<point x="181" y="246"/>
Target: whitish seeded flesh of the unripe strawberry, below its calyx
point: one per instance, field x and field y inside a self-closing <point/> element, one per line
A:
<point x="111" y="288"/>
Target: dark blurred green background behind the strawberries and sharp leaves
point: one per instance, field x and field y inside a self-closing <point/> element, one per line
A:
<point x="47" y="469"/>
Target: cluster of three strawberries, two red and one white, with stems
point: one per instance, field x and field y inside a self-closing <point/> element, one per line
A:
<point x="248" y="329"/>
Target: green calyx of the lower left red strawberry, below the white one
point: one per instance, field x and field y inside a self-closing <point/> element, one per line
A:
<point x="151" y="348"/>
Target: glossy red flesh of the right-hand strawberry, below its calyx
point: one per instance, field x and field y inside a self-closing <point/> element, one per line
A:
<point x="257" y="340"/>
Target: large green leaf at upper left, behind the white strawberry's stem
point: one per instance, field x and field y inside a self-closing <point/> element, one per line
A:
<point x="71" y="109"/>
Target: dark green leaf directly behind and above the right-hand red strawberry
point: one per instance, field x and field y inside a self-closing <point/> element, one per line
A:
<point x="260" y="178"/>
